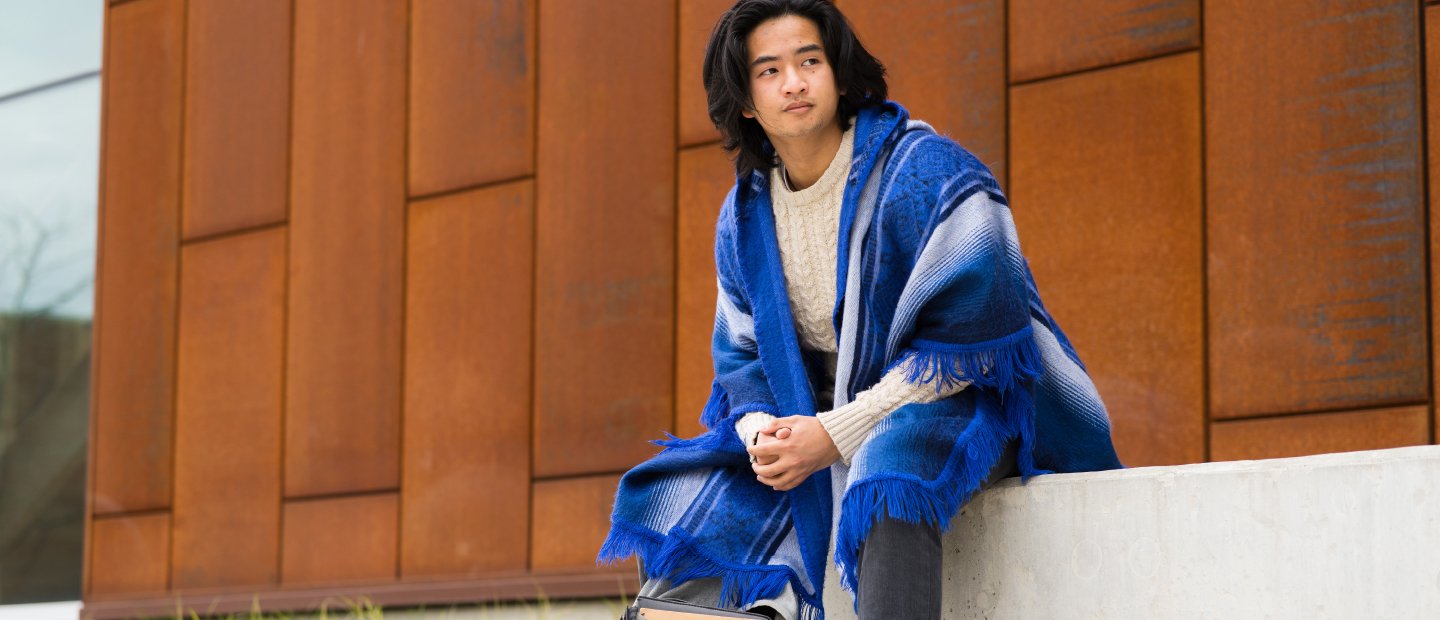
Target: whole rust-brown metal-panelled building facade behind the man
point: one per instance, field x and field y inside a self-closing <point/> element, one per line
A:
<point x="392" y="293"/>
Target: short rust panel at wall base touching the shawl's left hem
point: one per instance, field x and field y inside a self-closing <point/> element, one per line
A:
<point x="571" y="521"/>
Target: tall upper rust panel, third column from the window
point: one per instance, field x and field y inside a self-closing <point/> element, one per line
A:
<point x="348" y="248"/>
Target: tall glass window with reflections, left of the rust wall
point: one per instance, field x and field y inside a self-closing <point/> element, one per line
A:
<point x="50" y="153"/>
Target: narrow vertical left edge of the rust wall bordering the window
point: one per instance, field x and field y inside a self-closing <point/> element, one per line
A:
<point x="87" y="543"/>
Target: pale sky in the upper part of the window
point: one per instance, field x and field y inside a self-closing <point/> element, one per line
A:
<point x="50" y="155"/>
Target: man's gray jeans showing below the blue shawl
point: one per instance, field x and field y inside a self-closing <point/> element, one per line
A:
<point x="899" y="570"/>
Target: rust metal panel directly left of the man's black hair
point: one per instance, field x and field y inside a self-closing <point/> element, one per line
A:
<point x="698" y="19"/>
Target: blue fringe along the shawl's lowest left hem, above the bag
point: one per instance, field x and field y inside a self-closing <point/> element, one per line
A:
<point x="679" y="559"/>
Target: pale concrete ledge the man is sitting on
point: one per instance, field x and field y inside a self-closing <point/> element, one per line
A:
<point x="1350" y="536"/>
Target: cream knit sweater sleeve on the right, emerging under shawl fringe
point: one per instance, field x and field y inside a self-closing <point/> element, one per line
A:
<point x="852" y="424"/>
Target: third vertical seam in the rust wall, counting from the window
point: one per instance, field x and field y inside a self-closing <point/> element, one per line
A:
<point x="405" y="283"/>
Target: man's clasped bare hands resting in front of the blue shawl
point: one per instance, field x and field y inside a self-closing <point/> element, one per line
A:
<point x="791" y="450"/>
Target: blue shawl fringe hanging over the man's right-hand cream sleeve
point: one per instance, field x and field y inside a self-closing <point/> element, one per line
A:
<point x="1002" y="365"/>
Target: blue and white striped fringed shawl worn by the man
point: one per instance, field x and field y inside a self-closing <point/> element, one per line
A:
<point x="930" y="275"/>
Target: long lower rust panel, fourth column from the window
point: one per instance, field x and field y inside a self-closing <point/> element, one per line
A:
<point x="467" y="383"/>
